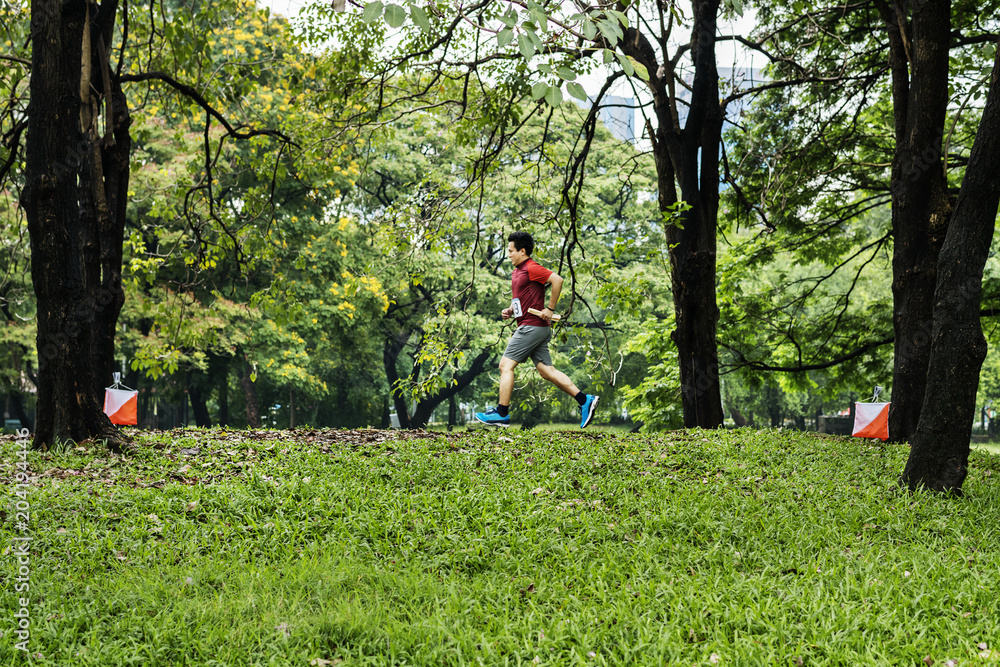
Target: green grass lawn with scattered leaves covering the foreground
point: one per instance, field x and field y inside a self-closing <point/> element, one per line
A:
<point x="497" y="547"/>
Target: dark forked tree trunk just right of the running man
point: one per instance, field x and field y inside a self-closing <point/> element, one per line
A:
<point x="689" y="157"/>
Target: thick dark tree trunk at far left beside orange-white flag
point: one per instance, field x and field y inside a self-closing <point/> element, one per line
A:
<point x="74" y="199"/>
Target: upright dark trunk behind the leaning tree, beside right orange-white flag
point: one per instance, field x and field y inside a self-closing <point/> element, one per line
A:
<point x="920" y="202"/>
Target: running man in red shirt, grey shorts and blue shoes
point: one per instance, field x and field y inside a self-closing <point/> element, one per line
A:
<point x="531" y="338"/>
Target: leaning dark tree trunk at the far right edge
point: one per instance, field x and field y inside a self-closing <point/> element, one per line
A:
<point x="939" y="449"/>
